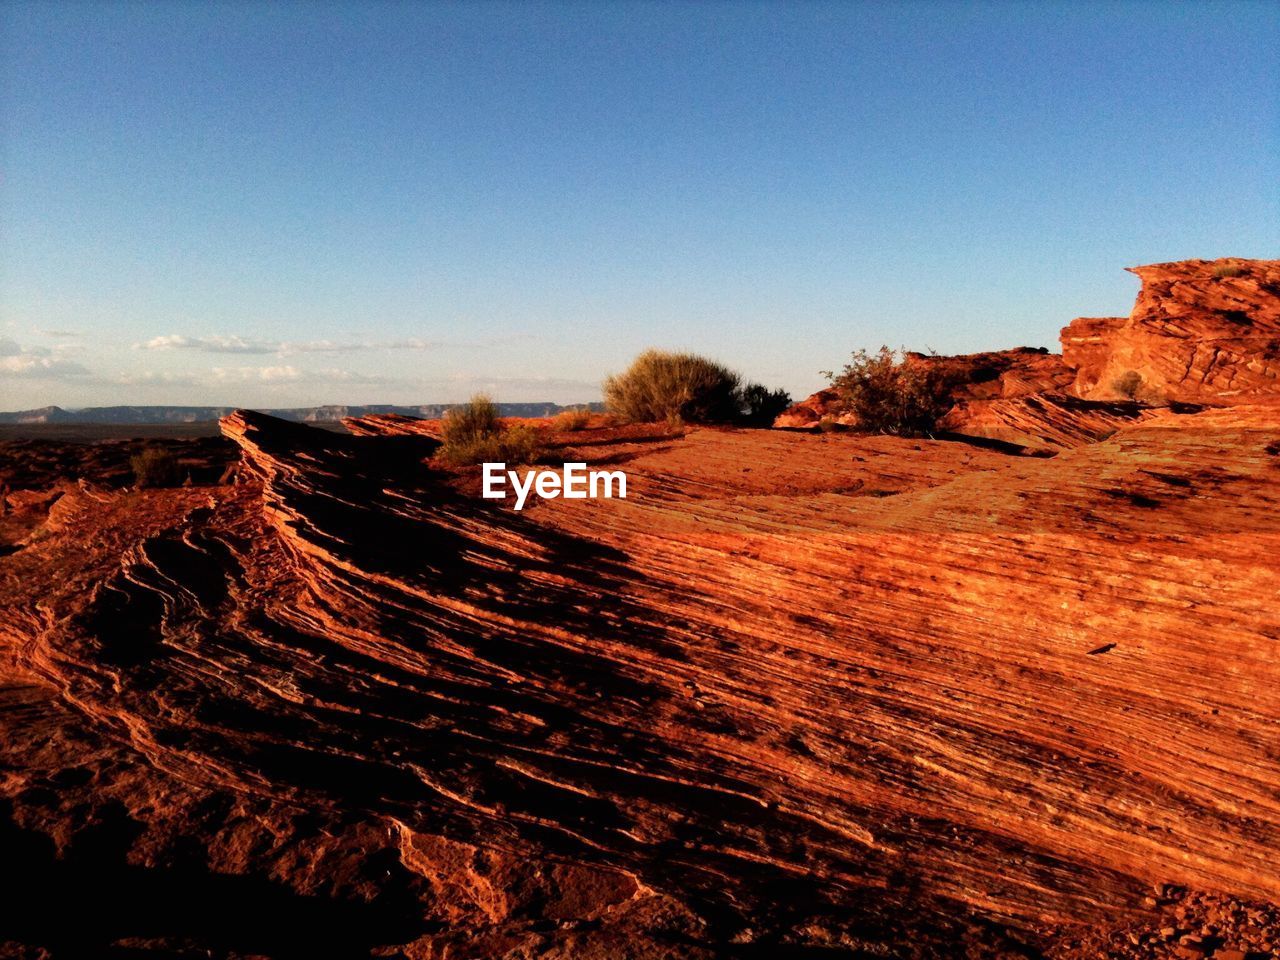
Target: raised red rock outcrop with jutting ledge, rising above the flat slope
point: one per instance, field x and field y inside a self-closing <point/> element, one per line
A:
<point x="1201" y="332"/>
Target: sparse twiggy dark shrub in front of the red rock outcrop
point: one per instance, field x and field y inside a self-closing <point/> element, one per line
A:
<point x="893" y="394"/>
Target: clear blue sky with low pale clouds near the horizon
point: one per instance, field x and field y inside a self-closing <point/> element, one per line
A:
<point x="351" y="203"/>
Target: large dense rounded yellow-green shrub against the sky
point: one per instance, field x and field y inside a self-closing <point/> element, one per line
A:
<point x="674" y="387"/>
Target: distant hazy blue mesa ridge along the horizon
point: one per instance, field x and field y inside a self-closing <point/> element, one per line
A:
<point x="327" y="414"/>
